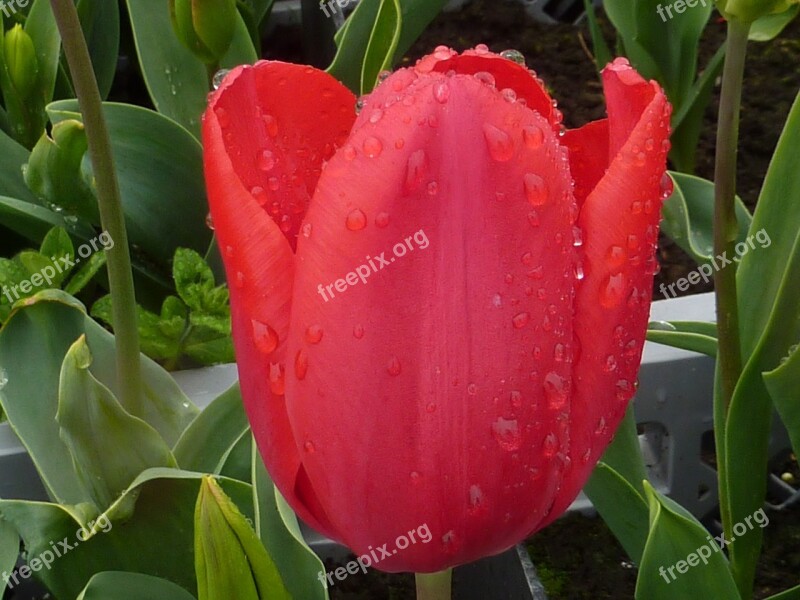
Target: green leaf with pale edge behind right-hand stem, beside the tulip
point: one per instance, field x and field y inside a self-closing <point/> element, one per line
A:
<point x="689" y="217"/>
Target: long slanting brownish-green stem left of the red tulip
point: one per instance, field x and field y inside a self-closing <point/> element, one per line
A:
<point x="120" y="276"/>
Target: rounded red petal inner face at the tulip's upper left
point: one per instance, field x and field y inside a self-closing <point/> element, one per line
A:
<point x="282" y="121"/>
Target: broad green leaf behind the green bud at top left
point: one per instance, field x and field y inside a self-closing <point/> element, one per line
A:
<point x="177" y="80"/>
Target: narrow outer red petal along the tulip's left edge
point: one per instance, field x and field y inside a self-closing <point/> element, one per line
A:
<point x="260" y="266"/>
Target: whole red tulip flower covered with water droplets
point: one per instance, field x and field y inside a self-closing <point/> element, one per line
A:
<point x="439" y="306"/>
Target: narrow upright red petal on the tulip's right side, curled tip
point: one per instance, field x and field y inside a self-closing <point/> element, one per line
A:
<point x="620" y="220"/>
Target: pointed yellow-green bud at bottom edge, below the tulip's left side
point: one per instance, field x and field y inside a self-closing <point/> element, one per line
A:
<point x="230" y="560"/>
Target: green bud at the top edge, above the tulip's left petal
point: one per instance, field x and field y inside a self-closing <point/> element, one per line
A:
<point x="206" y="27"/>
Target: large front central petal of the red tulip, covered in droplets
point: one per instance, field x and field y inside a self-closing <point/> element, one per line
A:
<point x="418" y="391"/>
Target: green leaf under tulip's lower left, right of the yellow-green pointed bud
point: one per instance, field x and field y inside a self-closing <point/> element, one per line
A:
<point x="279" y="530"/>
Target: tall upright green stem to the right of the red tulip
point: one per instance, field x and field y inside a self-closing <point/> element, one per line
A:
<point x="726" y="231"/>
